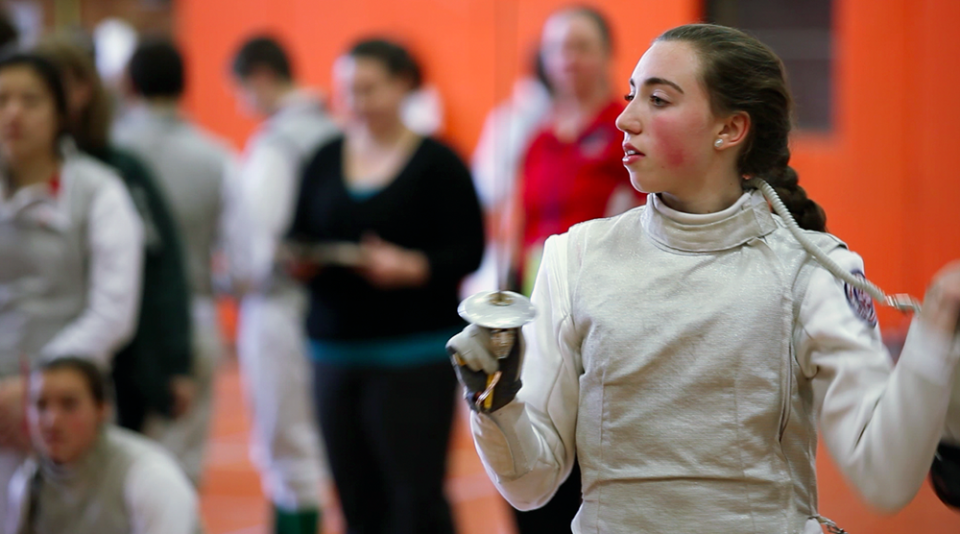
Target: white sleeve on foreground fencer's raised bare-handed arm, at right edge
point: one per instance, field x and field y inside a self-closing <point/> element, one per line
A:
<point x="880" y="424"/>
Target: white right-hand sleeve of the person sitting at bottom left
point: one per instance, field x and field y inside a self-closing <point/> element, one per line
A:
<point x="160" y="499"/>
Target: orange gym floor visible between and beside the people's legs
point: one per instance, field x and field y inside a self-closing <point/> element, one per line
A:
<point x="232" y="502"/>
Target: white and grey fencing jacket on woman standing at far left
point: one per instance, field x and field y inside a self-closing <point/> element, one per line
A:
<point x="72" y="252"/>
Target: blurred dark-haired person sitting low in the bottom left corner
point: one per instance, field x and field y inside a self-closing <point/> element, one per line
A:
<point x="88" y="476"/>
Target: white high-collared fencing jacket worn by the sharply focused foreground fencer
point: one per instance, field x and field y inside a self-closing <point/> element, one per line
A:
<point x="688" y="361"/>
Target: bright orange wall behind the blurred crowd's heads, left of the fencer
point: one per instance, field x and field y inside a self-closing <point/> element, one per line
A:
<point x="469" y="48"/>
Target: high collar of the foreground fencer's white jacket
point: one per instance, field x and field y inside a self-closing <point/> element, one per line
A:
<point x="748" y="218"/>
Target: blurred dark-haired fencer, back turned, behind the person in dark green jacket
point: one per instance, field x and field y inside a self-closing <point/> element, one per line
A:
<point x="191" y="168"/>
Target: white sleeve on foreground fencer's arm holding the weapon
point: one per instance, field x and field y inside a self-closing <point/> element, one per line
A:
<point x="528" y="446"/>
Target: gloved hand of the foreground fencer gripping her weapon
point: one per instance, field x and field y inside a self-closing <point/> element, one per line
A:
<point x="489" y="382"/>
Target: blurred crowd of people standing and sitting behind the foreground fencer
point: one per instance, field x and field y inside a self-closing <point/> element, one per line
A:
<point x="347" y="238"/>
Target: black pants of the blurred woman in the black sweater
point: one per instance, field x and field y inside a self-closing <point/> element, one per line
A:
<point x="387" y="433"/>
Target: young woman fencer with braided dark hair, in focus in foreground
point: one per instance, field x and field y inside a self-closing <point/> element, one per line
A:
<point x="689" y="351"/>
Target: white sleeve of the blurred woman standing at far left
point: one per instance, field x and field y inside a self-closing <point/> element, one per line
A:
<point x="115" y="238"/>
